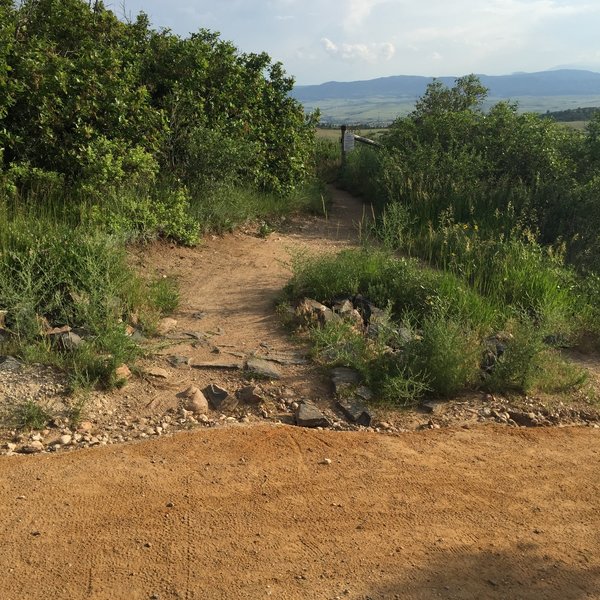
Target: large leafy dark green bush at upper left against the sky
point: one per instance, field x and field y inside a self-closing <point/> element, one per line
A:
<point x="104" y="103"/>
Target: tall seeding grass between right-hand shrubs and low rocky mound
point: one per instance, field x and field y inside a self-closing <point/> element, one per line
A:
<point x="482" y="232"/>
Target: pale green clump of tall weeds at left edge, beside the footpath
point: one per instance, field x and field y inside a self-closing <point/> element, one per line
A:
<point x="53" y="274"/>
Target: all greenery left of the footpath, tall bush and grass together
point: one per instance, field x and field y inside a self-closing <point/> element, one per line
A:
<point x="113" y="131"/>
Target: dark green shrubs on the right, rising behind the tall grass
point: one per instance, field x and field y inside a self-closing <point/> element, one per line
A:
<point x="501" y="173"/>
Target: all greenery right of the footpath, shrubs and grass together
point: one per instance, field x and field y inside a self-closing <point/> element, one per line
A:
<point x="505" y="207"/>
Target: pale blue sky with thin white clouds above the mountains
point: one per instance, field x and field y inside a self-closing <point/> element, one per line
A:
<point x="345" y="40"/>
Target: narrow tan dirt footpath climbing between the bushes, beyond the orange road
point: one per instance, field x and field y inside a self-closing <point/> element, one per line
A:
<point x="233" y="284"/>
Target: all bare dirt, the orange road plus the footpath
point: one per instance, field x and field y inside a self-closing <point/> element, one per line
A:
<point x="256" y="511"/>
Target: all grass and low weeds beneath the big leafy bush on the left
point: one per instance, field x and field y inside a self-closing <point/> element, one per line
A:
<point x="63" y="260"/>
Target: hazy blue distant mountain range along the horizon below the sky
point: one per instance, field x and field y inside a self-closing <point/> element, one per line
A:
<point x="561" y="82"/>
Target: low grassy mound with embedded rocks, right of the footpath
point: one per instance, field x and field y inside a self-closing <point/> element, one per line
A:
<point x="438" y="335"/>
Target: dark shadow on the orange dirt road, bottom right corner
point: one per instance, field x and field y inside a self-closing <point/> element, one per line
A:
<point x="524" y="574"/>
